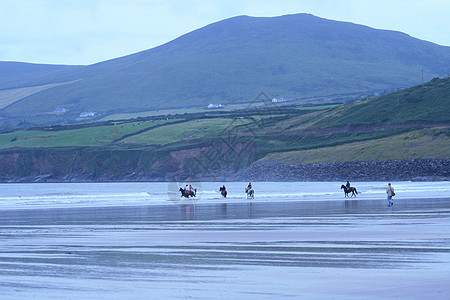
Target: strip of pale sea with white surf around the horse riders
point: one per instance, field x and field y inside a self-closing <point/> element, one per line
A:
<point x="71" y="195"/>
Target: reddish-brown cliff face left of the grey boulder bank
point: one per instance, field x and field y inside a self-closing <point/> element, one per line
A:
<point x="100" y="164"/>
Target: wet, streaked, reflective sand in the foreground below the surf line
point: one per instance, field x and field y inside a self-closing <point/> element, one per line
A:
<point x="320" y="249"/>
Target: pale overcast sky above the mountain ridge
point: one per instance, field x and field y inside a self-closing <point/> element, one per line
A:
<point x="90" y="31"/>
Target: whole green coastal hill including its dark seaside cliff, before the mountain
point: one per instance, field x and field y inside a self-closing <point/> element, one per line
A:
<point x="220" y="143"/>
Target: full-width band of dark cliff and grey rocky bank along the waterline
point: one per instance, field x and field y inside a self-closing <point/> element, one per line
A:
<point x="205" y="163"/>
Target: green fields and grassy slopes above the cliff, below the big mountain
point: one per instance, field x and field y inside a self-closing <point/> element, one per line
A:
<point x="412" y="123"/>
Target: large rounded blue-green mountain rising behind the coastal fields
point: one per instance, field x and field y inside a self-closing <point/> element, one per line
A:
<point x="232" y="61"/>
